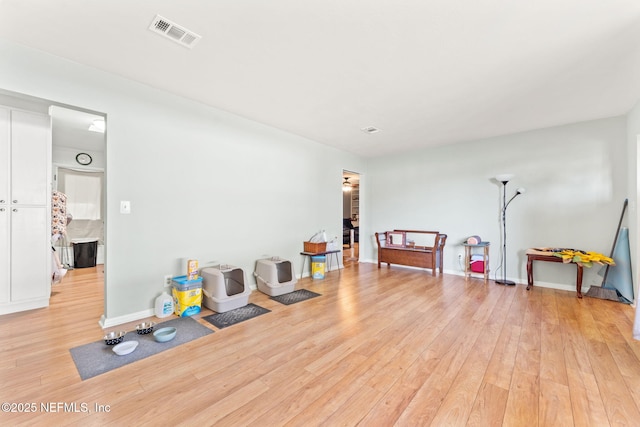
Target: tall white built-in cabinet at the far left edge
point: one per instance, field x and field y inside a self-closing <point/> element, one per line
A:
<point x="25" y="210"/>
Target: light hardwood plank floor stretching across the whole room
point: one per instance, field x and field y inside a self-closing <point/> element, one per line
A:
<point x="380" y="347"/>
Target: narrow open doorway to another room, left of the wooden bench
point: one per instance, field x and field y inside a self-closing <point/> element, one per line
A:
<point x="350" y="218"/>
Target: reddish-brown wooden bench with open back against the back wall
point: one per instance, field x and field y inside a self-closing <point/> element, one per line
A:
<point x="413" y="248"/>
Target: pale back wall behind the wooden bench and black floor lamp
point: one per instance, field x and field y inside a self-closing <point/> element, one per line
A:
<point x="576" y="182"/>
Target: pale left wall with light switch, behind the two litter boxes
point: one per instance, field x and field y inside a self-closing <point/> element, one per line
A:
<point x="202" y="183"/>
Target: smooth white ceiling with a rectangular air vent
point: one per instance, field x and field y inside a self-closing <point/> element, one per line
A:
<point x="426" y="72"/>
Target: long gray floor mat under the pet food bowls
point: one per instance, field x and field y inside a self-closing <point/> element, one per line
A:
<point x="97" y="358"/>
